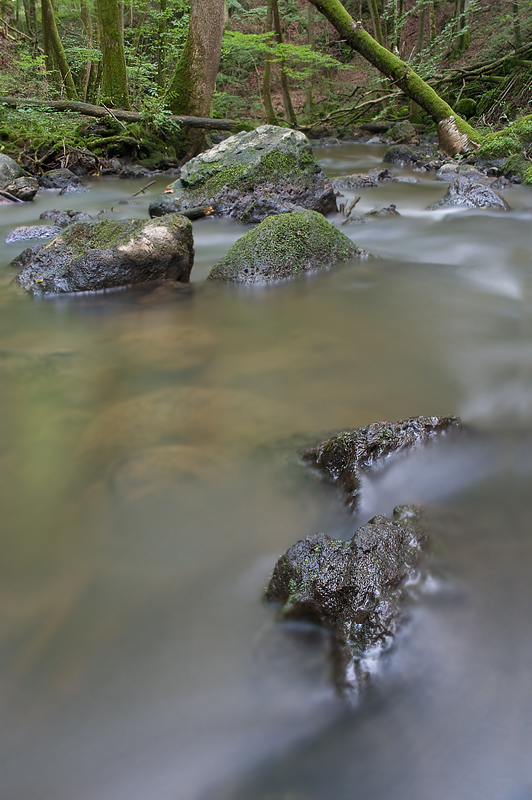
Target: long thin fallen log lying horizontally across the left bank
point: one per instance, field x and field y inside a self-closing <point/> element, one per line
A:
<point x="90" y="110"/>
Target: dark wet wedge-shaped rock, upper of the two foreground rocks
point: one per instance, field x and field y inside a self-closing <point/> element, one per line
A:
<point x="346" y="457"/>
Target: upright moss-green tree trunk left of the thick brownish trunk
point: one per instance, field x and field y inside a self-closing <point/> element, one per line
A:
<point x="114" y="79"/>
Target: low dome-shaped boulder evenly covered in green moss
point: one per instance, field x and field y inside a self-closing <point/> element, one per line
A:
<point x="283" y="246"/>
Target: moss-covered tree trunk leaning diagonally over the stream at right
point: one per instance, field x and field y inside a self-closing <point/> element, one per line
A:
<point x="400" y="73"/>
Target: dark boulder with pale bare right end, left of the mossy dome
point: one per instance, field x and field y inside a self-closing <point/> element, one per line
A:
<point x="89" y="256"/>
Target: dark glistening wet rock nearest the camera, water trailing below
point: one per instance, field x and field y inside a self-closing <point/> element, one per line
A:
<point x="354" y="589"/>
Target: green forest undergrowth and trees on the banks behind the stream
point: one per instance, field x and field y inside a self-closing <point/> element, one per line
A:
<point x="280" y="61"/>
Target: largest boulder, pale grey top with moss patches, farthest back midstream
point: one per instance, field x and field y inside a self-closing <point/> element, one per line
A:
<point x="235" y="174"/>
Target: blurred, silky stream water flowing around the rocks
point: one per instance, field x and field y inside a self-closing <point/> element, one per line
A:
<point x="148" y="482"/>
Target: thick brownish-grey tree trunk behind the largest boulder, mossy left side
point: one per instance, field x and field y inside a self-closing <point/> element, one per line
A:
<point x="194" y="80"/>
